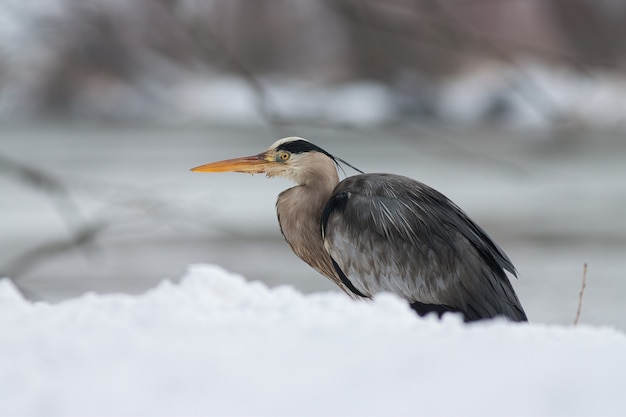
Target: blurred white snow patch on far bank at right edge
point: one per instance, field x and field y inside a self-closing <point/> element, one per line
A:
<point x="534" y="95"/>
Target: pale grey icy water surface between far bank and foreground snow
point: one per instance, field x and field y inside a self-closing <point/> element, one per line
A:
<point x="126" y="194"/>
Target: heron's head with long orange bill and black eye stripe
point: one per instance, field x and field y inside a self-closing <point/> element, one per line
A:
<point x="294" y="158"/>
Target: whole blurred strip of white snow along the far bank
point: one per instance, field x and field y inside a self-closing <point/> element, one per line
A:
<point x="528" y="96"/>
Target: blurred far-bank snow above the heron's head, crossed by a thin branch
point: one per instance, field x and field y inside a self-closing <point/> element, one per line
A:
<point x="229" y="100"/>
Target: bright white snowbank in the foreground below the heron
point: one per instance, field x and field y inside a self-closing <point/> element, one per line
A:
<point x="216" y="344"/>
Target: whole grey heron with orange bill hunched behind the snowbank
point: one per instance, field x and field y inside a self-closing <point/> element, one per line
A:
<point x="373" y="233"/>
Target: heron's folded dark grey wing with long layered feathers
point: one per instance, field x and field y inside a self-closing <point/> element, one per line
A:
<point x="390" y="233"/>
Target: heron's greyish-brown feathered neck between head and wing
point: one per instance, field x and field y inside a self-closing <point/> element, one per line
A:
<point x="299" y="215"/>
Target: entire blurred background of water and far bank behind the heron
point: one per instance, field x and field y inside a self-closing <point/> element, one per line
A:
<point x="515" y="109"/>
